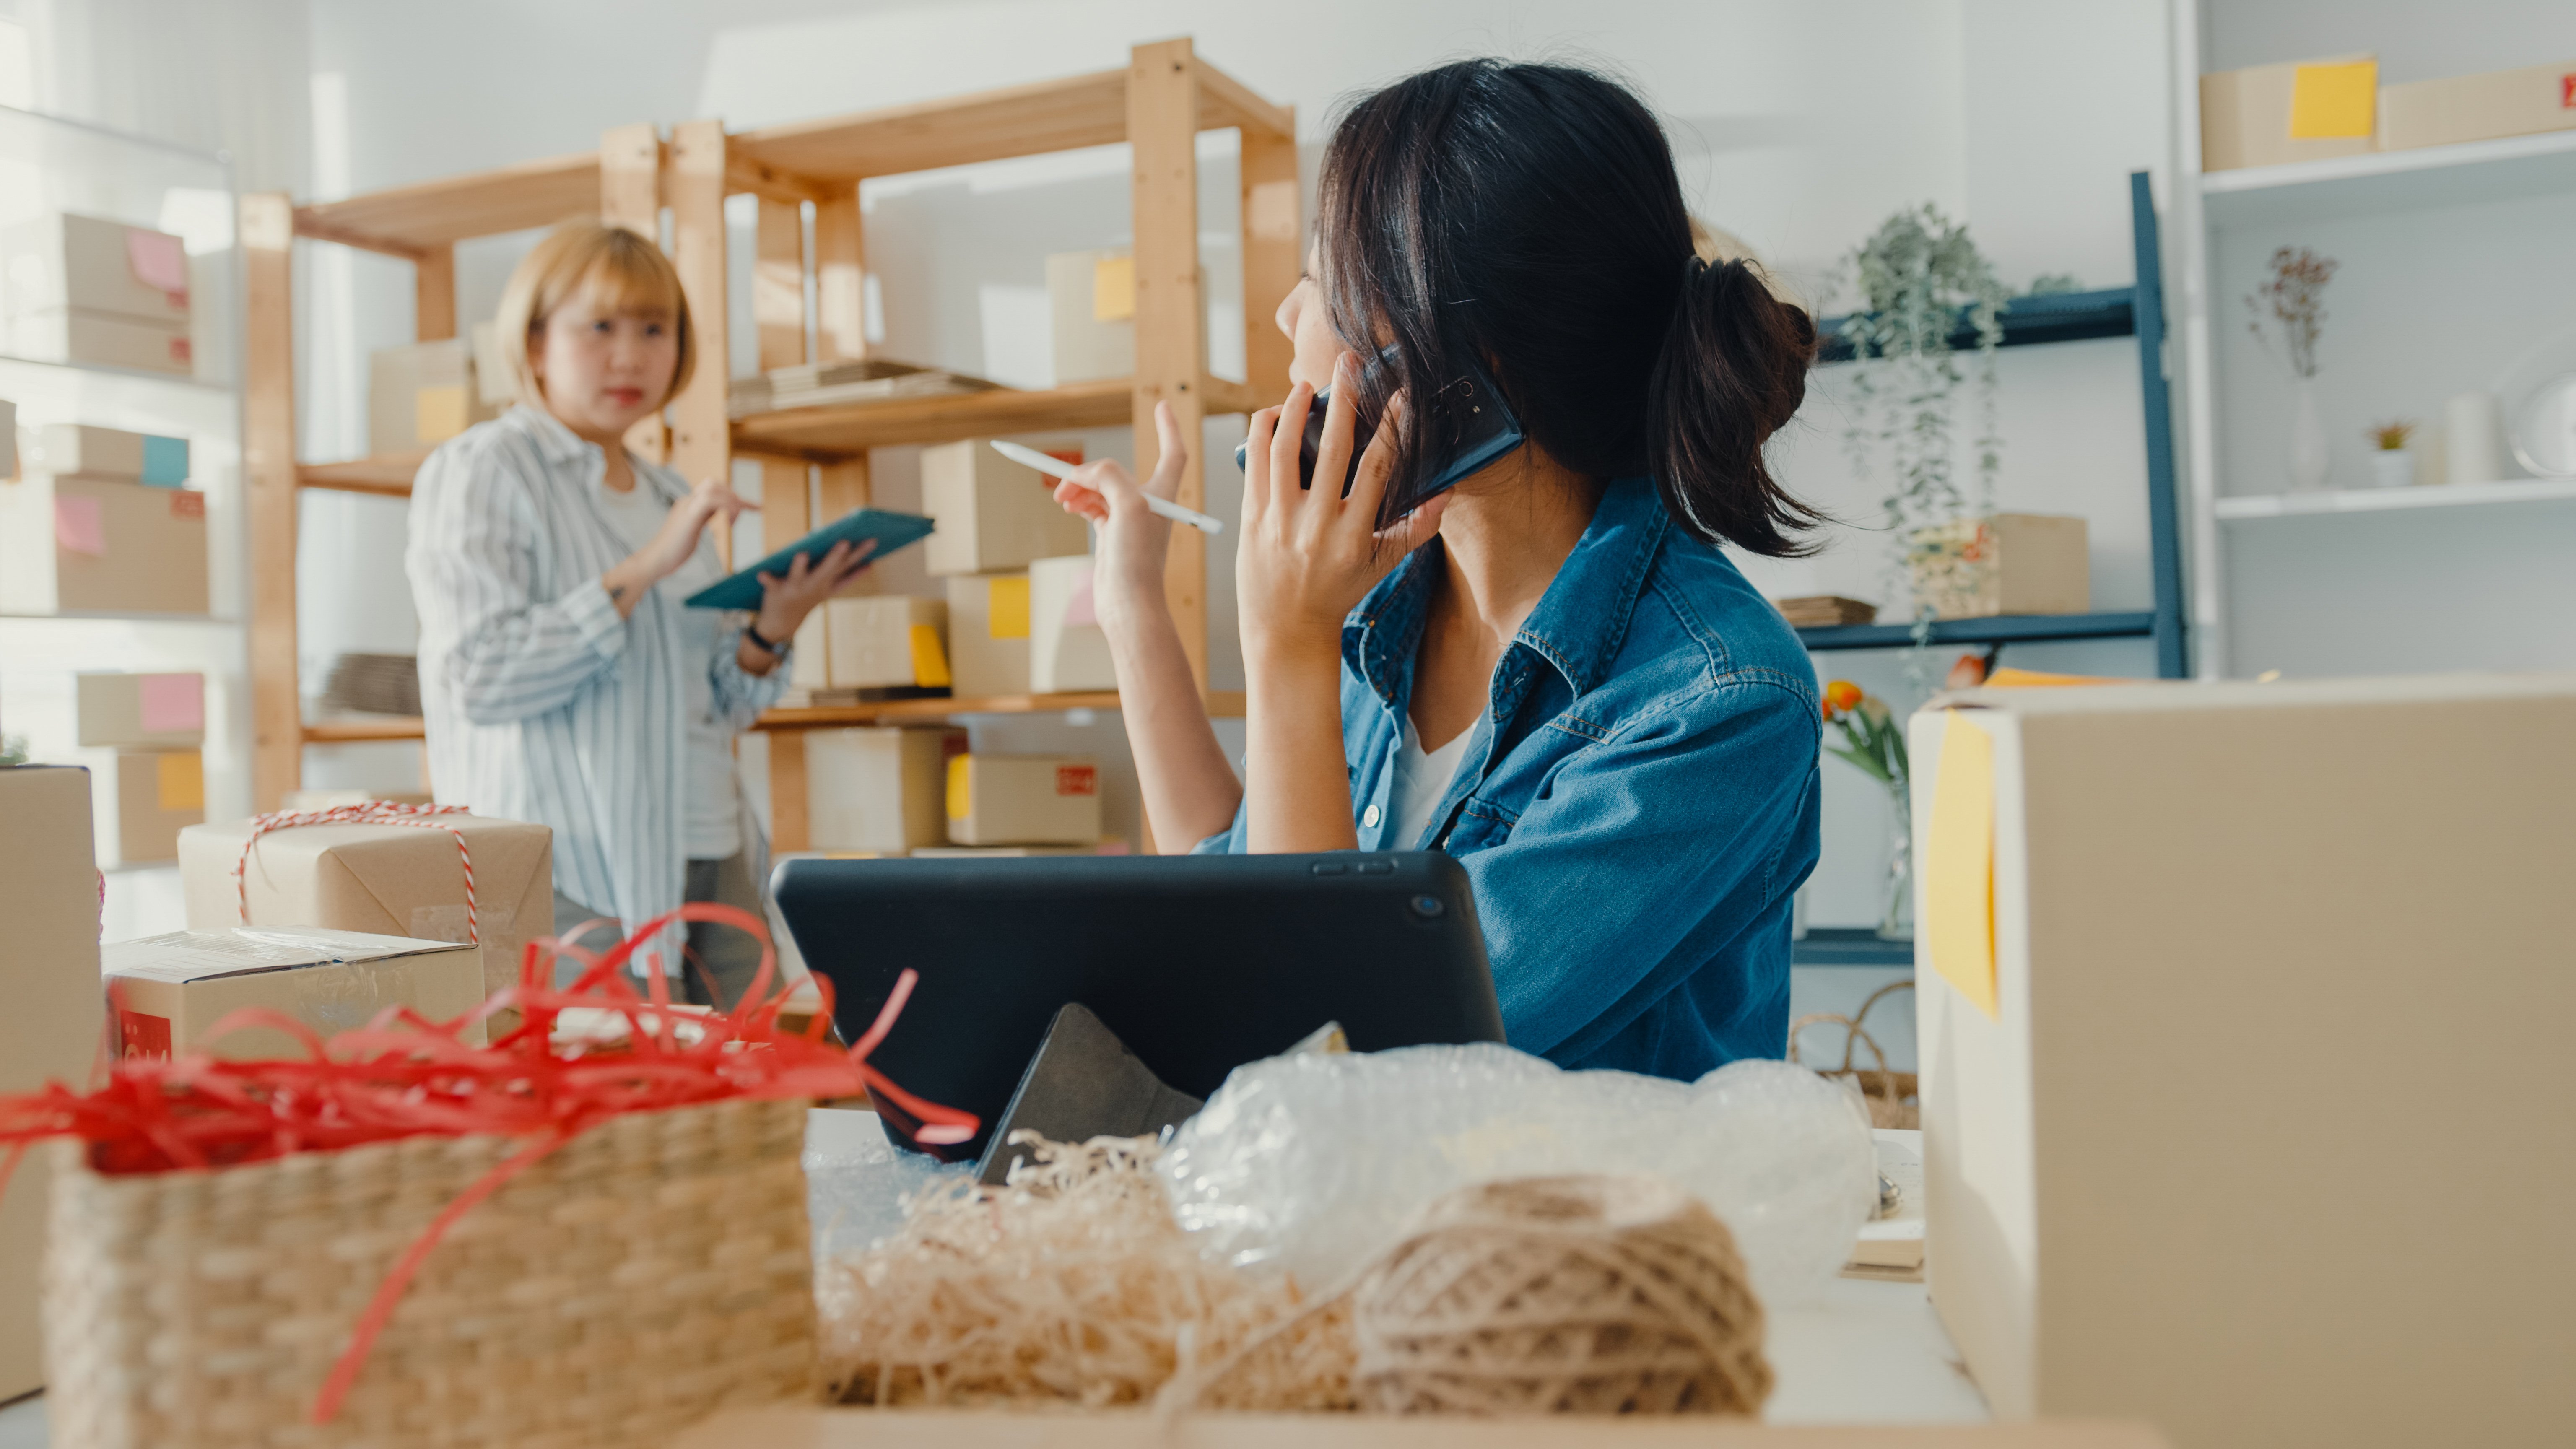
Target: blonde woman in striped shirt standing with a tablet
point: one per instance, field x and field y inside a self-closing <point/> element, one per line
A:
<point x="560" y="674"/>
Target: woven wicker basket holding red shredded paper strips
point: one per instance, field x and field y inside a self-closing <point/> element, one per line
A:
<point x="640" y="1278"/>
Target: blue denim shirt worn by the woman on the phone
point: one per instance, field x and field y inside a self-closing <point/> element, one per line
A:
<point x="1634" y="808"/>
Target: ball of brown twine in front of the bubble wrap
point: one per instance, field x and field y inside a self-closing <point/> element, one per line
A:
<point x="1562" y="1296"/>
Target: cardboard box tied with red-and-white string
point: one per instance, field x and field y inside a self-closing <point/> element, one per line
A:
<point x="380" y="880"/>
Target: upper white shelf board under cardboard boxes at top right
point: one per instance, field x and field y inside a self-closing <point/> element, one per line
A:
<point x="2392" y="182"/>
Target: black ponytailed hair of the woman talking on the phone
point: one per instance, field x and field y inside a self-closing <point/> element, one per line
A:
<point x="1526" y="218"/>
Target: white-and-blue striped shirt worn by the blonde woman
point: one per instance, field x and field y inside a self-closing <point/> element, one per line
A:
<point x="540" y="703"/>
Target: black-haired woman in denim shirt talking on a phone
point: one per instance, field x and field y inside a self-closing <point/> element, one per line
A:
<point x="1549" y="672"/>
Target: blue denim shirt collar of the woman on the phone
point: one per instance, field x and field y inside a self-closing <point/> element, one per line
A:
<point x="1578" y="625"/>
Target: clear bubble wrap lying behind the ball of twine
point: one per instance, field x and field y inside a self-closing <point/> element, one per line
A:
<point x="1318" y="1164"/>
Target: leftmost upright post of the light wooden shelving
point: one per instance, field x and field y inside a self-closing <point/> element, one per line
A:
<point x="269" y="471"/>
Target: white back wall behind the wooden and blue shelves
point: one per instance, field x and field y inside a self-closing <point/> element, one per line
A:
<point x="1797" y="125"/>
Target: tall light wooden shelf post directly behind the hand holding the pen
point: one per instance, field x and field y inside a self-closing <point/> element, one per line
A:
<point x="1171" y="344"/>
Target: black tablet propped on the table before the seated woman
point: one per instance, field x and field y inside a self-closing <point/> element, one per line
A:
<point x="1197" y="963"/>
